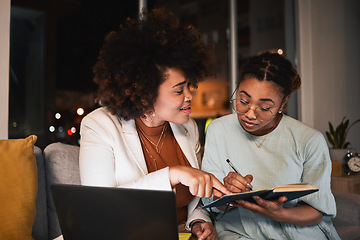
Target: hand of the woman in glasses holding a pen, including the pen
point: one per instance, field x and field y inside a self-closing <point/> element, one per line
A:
<point x="235" y="182"/>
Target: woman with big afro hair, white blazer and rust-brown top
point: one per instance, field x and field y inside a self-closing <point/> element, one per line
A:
<point x="142" y="136"/>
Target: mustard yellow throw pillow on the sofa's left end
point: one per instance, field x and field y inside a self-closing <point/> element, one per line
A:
<point x="18" y="188"/>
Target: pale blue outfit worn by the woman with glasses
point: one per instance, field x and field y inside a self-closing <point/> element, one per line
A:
<point x="291" y="153"/>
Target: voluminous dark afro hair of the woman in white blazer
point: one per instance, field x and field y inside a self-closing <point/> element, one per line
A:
<point x="133" y="60"/>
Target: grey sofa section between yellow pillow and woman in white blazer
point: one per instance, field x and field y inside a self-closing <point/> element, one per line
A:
<point x="58" y="163"/>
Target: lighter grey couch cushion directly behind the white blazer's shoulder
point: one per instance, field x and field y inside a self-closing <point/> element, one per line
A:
<point x="62" y="166"/>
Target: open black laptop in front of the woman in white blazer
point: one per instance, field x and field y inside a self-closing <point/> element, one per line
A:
<point x="94" y="213"/>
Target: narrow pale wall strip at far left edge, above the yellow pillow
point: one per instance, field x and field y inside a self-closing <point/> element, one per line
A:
<point x="4" y="66"/>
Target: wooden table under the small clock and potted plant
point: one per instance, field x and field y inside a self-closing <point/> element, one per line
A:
<point x="346" y="184"/>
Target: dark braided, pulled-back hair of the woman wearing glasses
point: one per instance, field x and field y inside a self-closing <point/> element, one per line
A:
<point x="274" y="68"/>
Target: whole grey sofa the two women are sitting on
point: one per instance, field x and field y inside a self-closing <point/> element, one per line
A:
<point x="58" y="163"/>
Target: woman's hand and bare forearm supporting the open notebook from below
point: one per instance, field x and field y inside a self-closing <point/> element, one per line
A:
<point x="303" y="214"/>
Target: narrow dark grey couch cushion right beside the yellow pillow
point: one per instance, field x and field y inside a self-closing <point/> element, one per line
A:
<point x="40" y="228"/>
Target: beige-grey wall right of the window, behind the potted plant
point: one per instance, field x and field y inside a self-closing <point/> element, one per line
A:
<point x="329" y="57"/>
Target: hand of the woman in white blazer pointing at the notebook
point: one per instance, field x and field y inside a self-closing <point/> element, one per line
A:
<point x="200" y="183"/>
